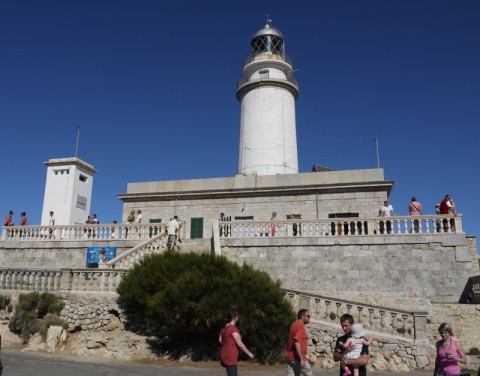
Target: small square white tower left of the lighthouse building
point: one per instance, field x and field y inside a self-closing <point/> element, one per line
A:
<point x="68" y="191"/>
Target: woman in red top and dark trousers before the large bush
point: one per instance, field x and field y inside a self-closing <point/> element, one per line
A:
<point x="231" y="342"/>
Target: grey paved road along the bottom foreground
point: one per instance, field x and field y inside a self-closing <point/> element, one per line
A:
<point x="23" y="364"/>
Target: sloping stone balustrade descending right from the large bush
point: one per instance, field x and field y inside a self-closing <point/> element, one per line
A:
<point x="380" y="319"/>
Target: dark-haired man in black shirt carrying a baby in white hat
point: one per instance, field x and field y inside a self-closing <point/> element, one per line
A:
<point x="346" y="321"/>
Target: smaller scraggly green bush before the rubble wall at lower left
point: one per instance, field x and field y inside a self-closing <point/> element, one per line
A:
<point x="29" y="311"/>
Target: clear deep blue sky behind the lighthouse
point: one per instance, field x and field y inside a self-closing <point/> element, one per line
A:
<point x="152" y="86"/>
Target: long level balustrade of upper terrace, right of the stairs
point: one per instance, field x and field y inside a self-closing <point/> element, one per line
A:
<point x="373" y="226"/>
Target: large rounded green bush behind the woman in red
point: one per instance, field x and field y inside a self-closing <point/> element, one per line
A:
<point x="190" y="294"/>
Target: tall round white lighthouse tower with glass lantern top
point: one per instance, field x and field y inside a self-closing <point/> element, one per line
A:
<point x="267" y="92"/>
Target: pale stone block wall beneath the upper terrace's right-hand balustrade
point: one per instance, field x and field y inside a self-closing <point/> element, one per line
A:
<point x="434" y="267"/>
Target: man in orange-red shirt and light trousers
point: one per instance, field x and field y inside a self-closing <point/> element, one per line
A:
<point x="297" y="363"/>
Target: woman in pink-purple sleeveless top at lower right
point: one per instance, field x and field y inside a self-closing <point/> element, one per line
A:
<point x="449" y="353"/>
